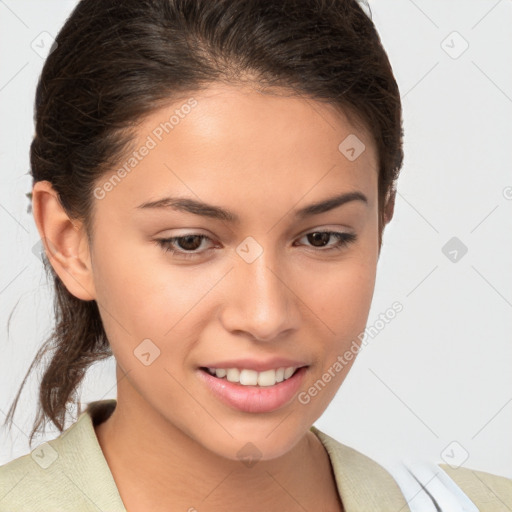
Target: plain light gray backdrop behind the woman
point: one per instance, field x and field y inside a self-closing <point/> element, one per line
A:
<point x="441" y="370"/>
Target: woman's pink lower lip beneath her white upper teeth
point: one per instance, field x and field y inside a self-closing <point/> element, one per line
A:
<point x="254" y="398"/>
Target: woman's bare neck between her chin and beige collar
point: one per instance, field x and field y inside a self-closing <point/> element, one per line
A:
<point x="157" y="466"/>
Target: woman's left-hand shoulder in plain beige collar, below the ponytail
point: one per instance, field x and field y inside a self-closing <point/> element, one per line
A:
<point x="69" y="471"/>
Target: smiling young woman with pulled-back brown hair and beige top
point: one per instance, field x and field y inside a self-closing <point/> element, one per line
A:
<point x="212" y="180"/>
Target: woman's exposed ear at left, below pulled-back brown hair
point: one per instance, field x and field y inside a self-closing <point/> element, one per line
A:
<point x="65" y="241"/>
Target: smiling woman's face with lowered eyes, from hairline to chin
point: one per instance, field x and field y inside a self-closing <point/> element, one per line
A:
<point x="269" y="284"/>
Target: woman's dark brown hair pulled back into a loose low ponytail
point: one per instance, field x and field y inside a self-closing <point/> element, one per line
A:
<point x="116" y="61"/>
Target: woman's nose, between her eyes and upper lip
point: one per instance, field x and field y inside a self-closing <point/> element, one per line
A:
<point x="260" y="302"/>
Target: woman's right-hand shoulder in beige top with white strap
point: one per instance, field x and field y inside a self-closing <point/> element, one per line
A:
<point x="365" y="485"/>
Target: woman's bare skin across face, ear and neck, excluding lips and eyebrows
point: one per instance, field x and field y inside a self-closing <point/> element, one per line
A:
<point x="170" y="442"/>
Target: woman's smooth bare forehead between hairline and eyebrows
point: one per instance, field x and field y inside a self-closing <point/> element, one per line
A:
<point x="237" y="144"/>
